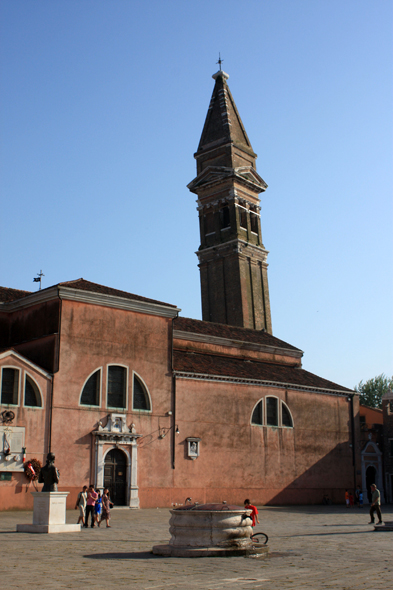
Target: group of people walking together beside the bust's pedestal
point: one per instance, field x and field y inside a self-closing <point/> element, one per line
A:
<point x="92" y="504"/>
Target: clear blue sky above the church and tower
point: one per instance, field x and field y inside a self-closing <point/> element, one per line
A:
<point x="102" y="107"/>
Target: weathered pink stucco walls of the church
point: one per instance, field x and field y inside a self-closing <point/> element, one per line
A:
<point x="237" y="459"/>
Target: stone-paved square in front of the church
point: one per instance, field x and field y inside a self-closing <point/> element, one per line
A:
<point x="311" y="547"/>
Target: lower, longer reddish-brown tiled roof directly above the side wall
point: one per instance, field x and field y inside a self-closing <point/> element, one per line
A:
<point x="222" y="366"/>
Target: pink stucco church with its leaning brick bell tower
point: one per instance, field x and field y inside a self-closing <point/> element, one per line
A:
<point x="157" y="407"/>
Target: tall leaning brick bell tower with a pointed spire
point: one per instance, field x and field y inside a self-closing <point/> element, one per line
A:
<point x="232" y="258"/>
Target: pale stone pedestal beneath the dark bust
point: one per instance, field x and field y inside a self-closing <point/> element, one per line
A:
<point x="49" y="515"/>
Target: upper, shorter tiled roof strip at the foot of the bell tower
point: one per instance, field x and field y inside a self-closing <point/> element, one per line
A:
<point x="230" y="332"/>
